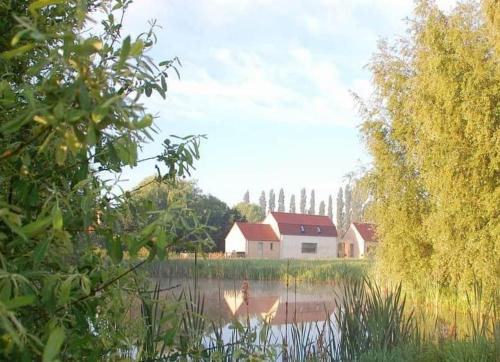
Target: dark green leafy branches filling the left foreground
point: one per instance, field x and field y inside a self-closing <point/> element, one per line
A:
<point x="71" y="115"/>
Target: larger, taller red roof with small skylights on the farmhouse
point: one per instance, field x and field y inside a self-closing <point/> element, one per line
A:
<point x="302" y="224"/>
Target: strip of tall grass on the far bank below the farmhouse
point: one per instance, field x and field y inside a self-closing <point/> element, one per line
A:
<point x="260" y="269"/>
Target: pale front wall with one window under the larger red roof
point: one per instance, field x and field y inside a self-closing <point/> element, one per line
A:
<point x="291" y="247"/>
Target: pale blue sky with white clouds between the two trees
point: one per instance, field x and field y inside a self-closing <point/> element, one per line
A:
<point x="270" y="83"/>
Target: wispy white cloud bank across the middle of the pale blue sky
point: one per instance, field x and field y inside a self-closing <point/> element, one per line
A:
<point x="300" y="87"/>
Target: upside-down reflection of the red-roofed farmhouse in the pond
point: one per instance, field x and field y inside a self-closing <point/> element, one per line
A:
<point x="273" y="309"/>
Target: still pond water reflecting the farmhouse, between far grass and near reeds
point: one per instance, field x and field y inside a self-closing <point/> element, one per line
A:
<point x="257" y="302"/>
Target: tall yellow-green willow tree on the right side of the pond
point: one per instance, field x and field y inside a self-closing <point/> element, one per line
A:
<point x="432" y="127"/>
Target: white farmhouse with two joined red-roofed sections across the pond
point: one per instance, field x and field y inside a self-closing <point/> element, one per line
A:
<point x="284" y="236"/>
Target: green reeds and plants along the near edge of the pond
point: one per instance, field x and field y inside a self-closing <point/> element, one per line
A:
<point x="369" y="324"/>
